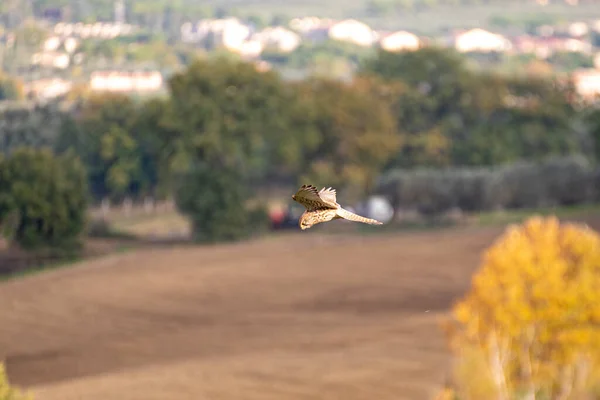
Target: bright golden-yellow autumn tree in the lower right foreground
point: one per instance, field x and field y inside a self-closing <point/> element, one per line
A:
<point x="530" y="326"/>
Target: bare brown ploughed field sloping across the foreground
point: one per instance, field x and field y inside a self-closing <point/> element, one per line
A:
<point x="300" y="316"/>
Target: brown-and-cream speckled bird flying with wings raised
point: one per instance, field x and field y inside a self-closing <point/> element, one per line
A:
<point x="322" y="206"/>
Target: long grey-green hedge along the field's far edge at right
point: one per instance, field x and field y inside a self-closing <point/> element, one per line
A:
<point x="555" y="181"/>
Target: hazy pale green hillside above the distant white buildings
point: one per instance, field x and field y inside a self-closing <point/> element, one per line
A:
<point x="421" y="16"/>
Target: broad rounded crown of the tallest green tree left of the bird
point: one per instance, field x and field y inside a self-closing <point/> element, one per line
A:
<point x="228" y="113"/>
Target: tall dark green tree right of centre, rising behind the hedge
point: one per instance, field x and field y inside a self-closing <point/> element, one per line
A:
<point x="436" y="92"/>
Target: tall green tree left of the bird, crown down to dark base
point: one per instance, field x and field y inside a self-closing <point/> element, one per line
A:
<point x="226" y="116"/>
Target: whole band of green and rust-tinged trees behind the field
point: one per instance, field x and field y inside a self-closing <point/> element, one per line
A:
<point x="226" y="126"/>
